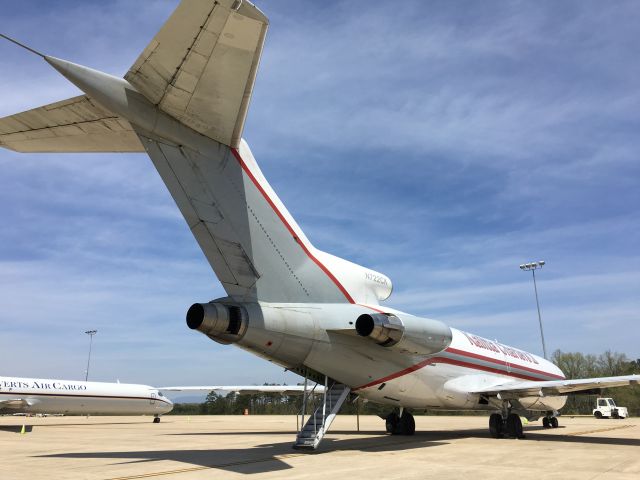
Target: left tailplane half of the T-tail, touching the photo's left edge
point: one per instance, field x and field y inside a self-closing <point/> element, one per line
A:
<point x="74" y="125"/>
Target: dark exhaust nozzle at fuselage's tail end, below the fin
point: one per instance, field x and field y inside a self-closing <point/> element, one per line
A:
<point x="220" y="322"/>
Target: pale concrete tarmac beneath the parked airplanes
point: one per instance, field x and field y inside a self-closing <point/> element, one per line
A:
<point x="257" y="447"/>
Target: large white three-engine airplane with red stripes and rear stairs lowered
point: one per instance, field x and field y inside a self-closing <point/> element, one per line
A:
<point x="184" y="103"/>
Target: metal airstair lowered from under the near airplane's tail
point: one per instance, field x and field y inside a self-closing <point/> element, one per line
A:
<point x="318" y="423"/>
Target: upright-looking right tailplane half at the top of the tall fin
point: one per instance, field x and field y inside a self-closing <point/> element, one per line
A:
<point x="201" y="67"/>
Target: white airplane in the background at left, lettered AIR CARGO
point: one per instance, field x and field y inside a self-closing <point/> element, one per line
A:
<point x="49" y="396"/>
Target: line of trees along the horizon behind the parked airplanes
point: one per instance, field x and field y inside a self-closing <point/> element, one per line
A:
<point x="573" y="364"/>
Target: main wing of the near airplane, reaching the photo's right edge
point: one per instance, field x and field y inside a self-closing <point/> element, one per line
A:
<point x="557" y="387"/>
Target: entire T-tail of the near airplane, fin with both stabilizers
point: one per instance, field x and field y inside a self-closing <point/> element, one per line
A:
<point x="184" y="102"/>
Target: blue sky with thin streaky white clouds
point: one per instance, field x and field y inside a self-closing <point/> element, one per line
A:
<point x="442" y="143"/>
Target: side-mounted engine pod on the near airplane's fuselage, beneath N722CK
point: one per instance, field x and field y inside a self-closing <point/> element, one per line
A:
<point x="409" y="334"/>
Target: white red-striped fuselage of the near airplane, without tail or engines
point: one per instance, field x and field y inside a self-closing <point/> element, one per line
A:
<point x="322" y="337"/>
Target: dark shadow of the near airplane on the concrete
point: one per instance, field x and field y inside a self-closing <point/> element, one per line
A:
<point x="272" y="457"/>
